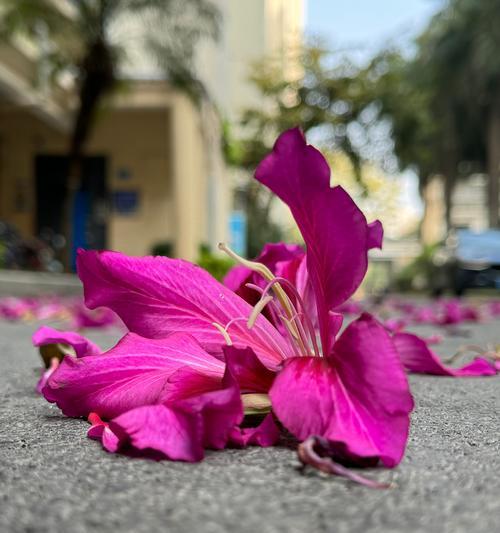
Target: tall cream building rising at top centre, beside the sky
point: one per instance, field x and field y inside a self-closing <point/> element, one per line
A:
<point x="251" y="31"/>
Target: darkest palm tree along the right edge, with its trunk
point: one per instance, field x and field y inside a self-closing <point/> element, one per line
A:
<point x="463" y="44"/>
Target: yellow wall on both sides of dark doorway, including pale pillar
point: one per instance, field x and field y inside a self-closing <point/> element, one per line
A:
<point x="162" y="150"/>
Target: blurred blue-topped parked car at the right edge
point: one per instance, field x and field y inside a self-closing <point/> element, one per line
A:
<point x="468" y="259"/>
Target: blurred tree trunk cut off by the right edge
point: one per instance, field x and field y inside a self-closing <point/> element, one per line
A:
<point x="493" y="164"/>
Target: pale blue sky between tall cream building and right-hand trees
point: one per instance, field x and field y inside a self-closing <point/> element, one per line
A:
<point x="363" y="27"/>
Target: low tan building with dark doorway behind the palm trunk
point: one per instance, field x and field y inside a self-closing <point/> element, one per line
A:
<point x="146" y="163"/>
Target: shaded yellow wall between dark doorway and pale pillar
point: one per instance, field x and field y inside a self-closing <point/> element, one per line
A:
<point x="138" y="141"/>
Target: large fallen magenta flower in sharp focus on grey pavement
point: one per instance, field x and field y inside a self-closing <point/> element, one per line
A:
<point x="206" y="365"/>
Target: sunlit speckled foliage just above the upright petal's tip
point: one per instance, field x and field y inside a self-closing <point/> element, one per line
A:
<point x="329" y="93"/>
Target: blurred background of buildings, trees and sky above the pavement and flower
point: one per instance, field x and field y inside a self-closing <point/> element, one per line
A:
<point x="136" y="125"/>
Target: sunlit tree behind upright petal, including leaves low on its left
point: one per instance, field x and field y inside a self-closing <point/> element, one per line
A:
<point x="323" y="93"/>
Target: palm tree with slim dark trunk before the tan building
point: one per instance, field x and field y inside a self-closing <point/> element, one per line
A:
<point x="82" y="42"/>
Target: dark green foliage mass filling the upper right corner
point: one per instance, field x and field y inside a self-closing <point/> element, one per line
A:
<point x="442" y="101"/>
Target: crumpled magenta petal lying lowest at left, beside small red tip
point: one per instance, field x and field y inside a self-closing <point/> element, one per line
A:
<point x="175" y="434"/>
